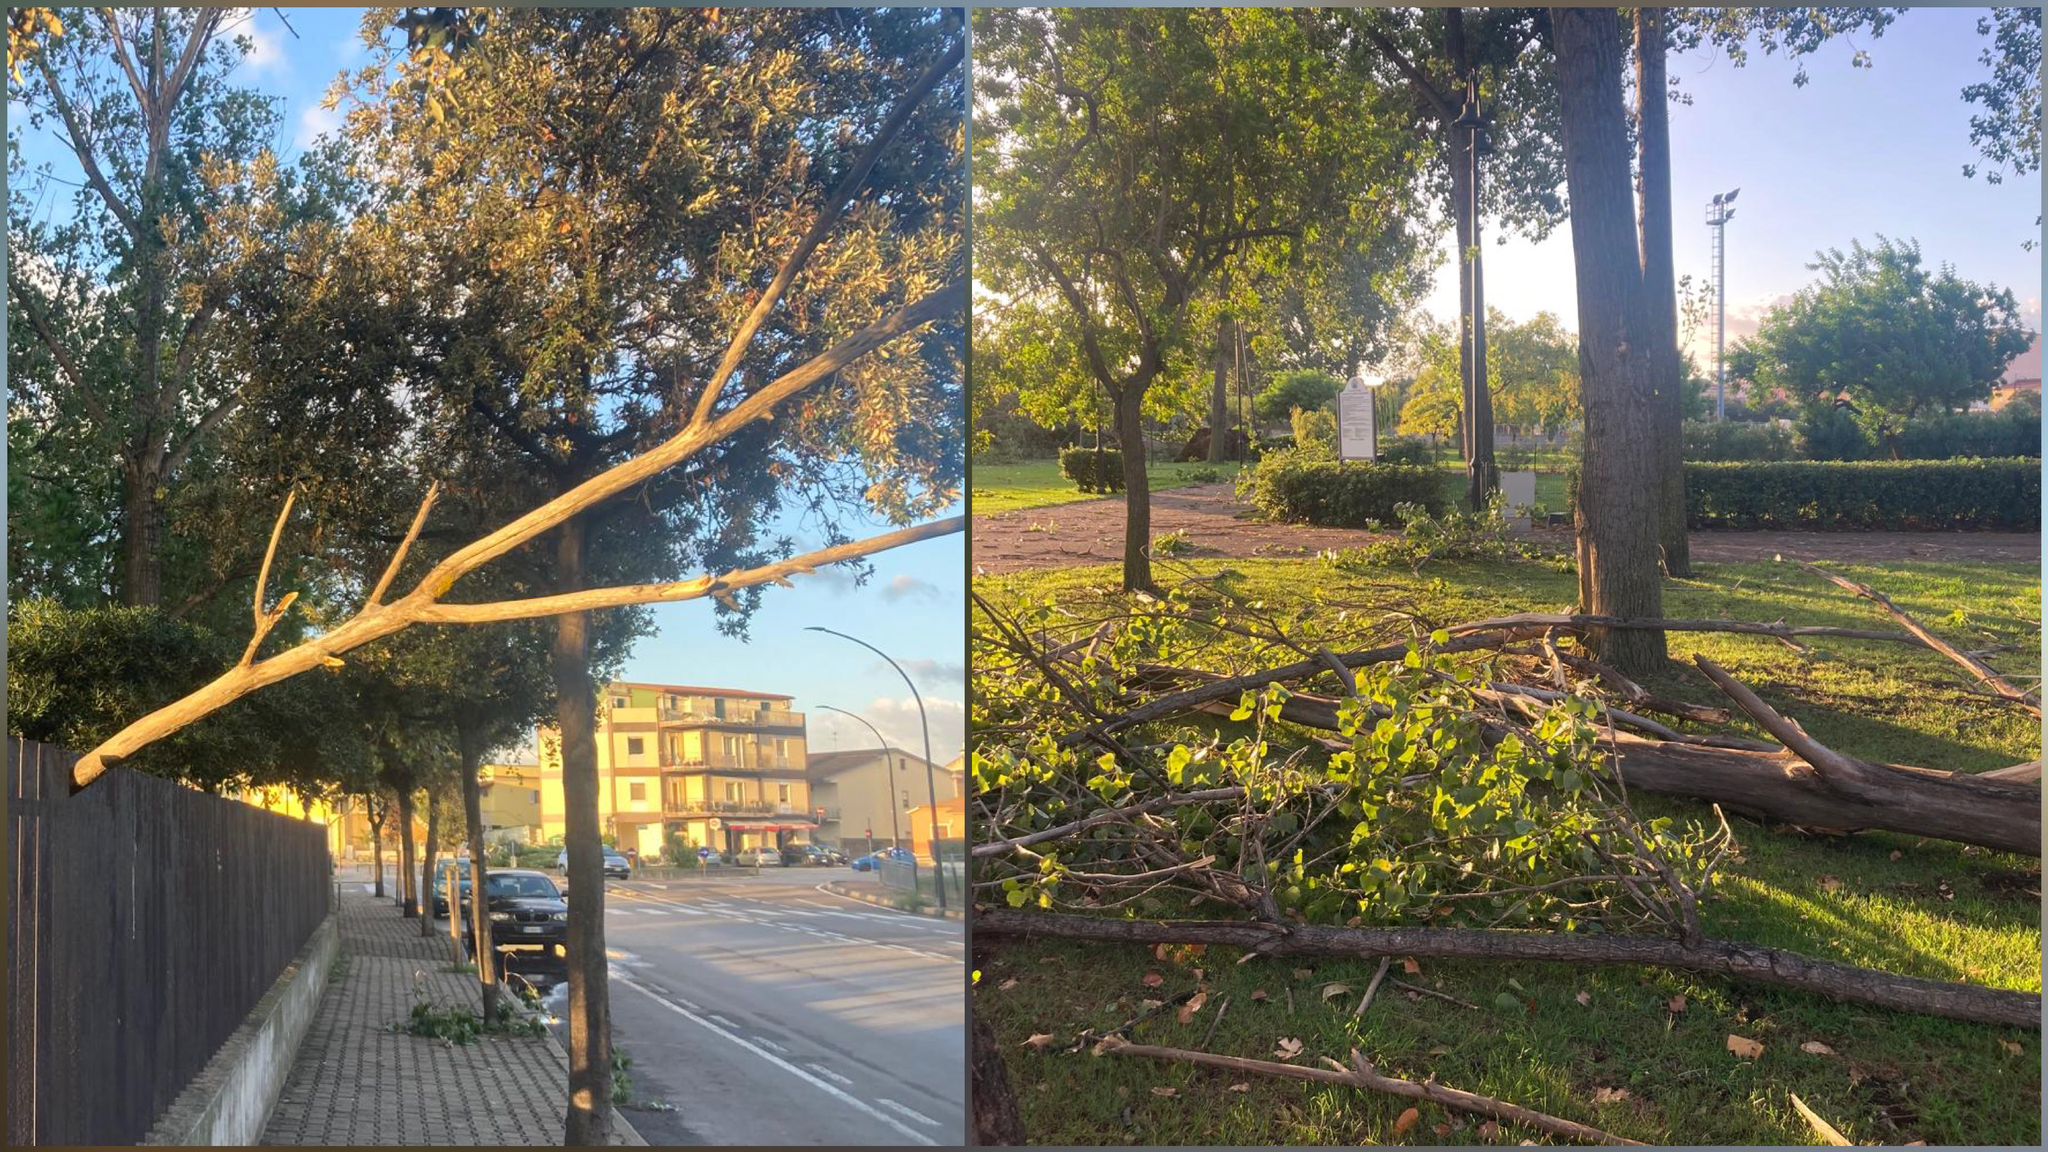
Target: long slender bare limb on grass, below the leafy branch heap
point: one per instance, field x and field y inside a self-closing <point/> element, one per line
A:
<point x="1717" y="958"/>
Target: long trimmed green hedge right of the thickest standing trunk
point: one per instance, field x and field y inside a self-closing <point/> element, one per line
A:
<point x="1990" y="495"/>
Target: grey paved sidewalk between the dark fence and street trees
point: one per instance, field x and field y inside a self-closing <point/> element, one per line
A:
<point x="357" y="1081"/>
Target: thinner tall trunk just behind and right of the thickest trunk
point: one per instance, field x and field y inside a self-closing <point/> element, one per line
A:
<point x="1660" y="288"/>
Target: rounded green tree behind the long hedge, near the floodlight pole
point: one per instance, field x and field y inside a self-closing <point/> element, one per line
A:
<point x="1893" y="335"/>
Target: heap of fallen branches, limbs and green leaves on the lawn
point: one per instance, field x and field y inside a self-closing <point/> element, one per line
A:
<point x="1394" y="786"/>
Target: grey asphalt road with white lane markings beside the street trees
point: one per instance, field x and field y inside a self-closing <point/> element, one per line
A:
<point x="767" y="1012"/>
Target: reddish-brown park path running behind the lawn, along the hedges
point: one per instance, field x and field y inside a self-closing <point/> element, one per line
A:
<point x="1218" y="526"/>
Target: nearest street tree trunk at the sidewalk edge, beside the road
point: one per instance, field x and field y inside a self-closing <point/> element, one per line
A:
<point x="591" y="1022"/>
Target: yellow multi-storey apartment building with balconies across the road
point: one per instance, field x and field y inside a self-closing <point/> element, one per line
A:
<point x="718" y="768"/>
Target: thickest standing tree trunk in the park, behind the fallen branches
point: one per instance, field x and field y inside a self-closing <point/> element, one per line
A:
<point x="1619" y="479"/>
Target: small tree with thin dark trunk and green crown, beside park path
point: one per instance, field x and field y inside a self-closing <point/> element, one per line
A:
<point x="1113" y="194"/>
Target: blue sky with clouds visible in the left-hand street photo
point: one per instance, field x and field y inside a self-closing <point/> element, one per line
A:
<point x="914" y="608"/>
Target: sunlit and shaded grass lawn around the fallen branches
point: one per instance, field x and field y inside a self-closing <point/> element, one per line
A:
<point x="1650" y="1044"/>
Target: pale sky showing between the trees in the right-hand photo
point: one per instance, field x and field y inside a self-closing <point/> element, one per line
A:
<point x="1854" y="153"/>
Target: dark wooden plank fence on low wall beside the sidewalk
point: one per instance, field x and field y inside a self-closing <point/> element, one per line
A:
<point x="146" y="921"/>
